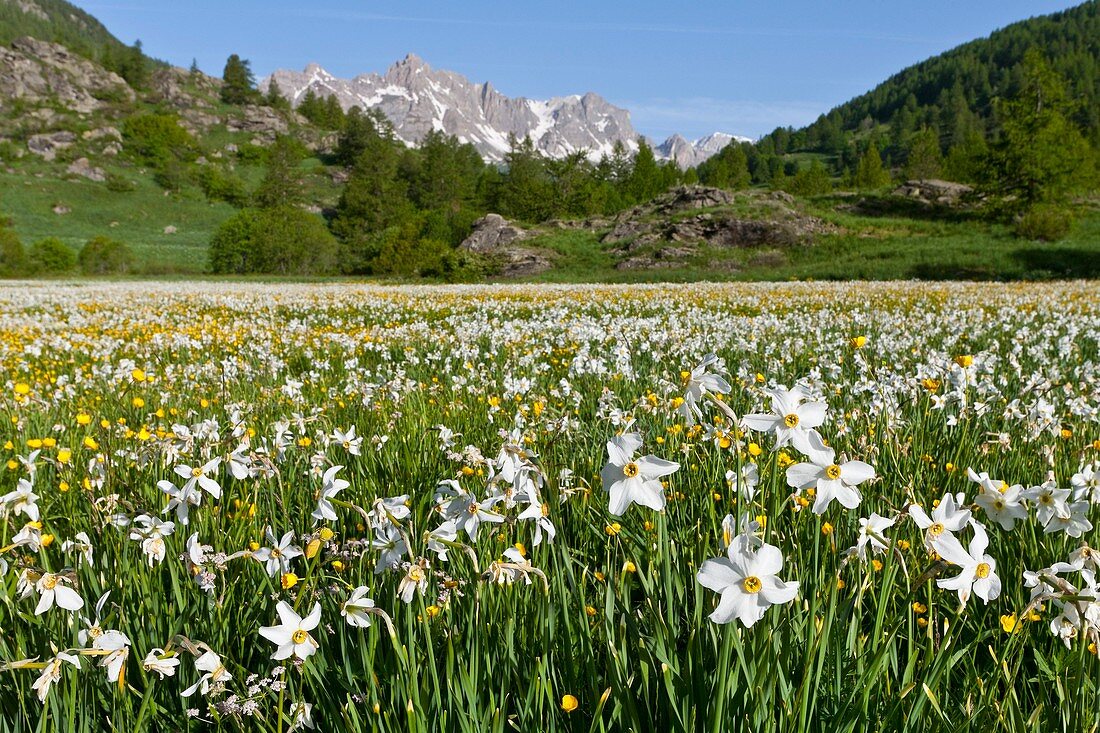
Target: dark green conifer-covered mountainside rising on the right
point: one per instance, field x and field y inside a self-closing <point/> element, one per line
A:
<point x="954" y="92"/>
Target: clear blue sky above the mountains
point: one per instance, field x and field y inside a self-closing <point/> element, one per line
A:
<point x="688" y="68"/>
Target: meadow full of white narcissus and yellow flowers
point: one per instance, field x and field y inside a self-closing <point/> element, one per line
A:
<point x="651" y="508"/>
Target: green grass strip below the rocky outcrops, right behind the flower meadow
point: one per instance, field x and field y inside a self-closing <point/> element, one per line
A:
<point x="901" y="243"/>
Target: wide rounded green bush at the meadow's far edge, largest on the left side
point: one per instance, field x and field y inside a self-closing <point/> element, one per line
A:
<point x="284" y="240"/>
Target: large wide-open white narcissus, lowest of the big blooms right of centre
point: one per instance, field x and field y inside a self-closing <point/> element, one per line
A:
<point x="749" y="583"/>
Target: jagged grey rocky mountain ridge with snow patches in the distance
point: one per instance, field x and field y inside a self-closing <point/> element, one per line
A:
<point x="417" y="99"/>
